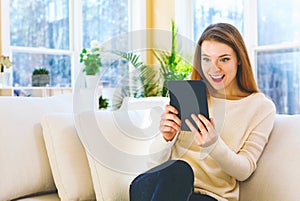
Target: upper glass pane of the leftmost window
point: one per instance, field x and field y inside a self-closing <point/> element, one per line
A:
<point x="39" y="23"/>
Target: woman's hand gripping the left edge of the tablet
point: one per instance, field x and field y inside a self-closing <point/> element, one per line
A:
<point x="169" y="123"/>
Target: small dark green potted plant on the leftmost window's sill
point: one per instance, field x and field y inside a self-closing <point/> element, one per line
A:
<point x="40" y="77"/>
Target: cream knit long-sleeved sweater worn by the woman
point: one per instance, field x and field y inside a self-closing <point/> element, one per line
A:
<point x="244" y="126"/>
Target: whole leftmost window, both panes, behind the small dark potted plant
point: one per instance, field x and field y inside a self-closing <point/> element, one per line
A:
<point x="39" y="37"/>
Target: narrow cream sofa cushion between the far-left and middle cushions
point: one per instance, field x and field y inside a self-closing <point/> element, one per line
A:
<point x="67" y="158"/>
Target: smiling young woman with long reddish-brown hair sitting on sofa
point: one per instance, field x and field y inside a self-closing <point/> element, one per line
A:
<point x="207" y="162"/>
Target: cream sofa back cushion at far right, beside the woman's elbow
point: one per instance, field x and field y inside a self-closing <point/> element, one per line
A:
<point x="277" y="175"/>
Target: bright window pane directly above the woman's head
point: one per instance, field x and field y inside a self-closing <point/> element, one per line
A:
<point x="207" y="12"/>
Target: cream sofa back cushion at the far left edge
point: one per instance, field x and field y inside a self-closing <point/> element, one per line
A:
<point x="25" y="168"/>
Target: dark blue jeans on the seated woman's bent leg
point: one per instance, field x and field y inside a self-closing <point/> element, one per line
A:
<point x="170" y="181"/>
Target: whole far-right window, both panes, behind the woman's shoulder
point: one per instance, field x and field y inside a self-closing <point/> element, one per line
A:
<point x="277" y="54"/>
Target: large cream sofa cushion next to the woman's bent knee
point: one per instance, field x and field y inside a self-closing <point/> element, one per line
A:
<point x="118" y="145"/>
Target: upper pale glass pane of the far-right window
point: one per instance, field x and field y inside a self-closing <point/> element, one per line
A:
<point x="278" y="21"/>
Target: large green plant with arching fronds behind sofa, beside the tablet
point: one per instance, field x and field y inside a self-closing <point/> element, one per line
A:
<point x="150" y="81"/>
